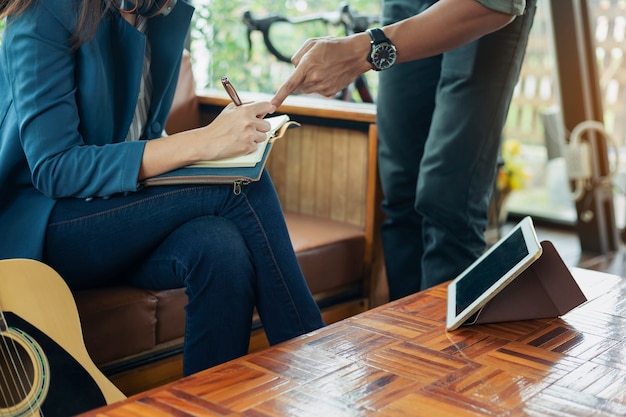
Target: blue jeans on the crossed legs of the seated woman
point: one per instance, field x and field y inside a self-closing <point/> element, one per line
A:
<point x="231" y="253"/>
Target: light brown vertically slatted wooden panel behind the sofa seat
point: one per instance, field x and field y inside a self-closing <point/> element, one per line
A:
<point x="322" y="171"/>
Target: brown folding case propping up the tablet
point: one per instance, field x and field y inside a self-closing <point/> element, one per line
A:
<point x="545" y="289"/>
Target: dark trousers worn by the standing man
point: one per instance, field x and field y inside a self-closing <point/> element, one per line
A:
<point x="440" y="122"/>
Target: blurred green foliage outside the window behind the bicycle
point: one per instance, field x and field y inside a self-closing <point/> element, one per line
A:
<point x="219" y="40"/>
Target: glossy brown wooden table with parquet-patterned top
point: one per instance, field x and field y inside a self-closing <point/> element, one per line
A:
<point x="398" y="360"/>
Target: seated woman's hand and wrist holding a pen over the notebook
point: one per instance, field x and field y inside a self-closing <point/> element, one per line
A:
<point x="237" y="130"/>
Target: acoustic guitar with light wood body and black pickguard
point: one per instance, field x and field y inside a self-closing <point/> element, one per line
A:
<point x="45" y="369"/>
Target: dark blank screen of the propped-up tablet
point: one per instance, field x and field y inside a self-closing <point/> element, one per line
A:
<point x="479" y="279"/>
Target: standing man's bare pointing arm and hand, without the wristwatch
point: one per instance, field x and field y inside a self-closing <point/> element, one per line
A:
<point x="327" y="65"/>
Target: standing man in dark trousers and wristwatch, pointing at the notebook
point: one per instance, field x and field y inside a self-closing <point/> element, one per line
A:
<point x="447" y="73"/>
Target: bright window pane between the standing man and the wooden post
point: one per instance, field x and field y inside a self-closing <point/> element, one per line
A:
<point x="534" y="121"/>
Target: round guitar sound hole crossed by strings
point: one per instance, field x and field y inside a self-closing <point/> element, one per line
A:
<point x="17" y="371"/>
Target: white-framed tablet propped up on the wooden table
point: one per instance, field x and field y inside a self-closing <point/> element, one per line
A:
<point x="491" y="272"/>
